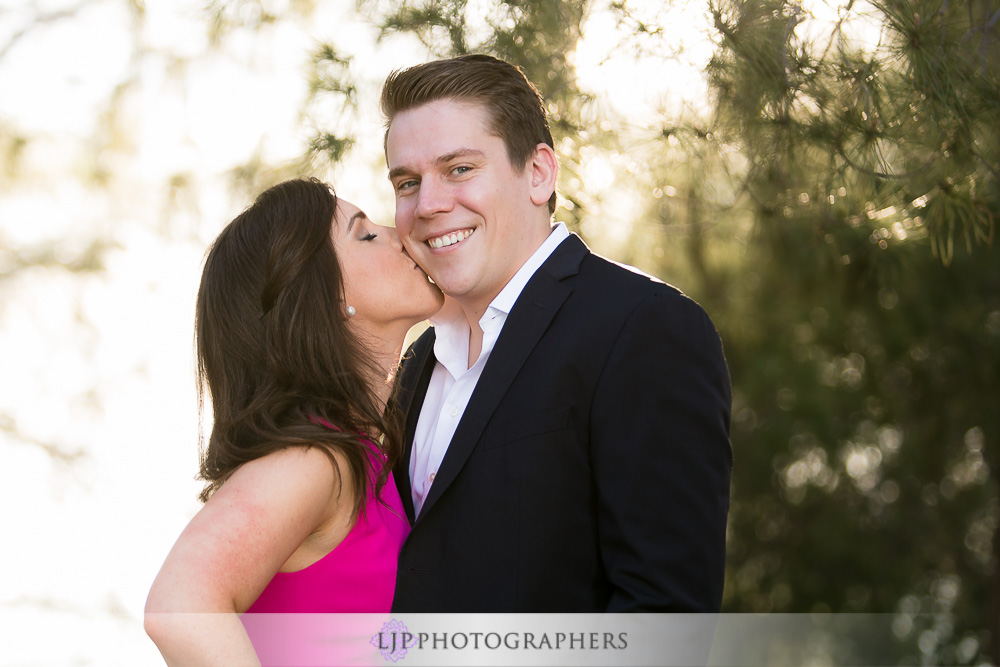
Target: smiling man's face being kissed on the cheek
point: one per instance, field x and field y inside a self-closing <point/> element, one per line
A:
<point x="462" y="211"/>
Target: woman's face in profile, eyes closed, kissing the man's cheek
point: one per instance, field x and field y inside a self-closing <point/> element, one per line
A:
<point x="381" y="282"/>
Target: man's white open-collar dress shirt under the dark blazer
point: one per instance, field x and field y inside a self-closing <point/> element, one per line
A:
<point x="453" y="380"/>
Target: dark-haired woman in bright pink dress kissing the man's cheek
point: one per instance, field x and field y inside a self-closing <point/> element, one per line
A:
<point x="303" y="307"/>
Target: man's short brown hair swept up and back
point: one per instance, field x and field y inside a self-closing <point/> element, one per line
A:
<point x="513" y="105"/>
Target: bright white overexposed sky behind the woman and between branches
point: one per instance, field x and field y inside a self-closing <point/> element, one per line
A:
<point x="98" y="367"/>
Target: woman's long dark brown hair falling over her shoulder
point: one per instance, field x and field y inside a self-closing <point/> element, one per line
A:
<point x="275" y="353"/>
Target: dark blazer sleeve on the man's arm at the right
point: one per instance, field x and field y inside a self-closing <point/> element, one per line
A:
<point x="662" y="459"/>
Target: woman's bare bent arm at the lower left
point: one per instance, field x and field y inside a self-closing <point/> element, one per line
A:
<point x="234" y="546"/>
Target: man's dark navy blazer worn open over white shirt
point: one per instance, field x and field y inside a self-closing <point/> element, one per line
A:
<point x="591" y="469"/>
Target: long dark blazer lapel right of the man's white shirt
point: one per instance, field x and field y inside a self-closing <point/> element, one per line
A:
<point x="529" y="318"/>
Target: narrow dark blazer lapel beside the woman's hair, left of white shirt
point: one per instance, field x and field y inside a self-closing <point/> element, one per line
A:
<point x="415" y="375"/>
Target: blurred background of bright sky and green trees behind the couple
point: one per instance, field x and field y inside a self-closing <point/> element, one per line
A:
<point x="821" y="176"/>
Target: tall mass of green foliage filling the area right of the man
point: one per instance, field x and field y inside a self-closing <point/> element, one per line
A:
<point x="864" y="353"/>
